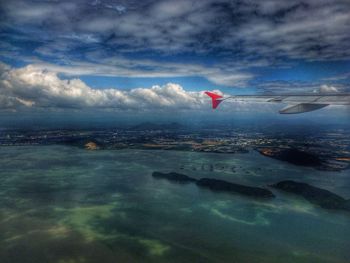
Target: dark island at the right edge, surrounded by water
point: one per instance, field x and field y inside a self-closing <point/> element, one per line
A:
<point x="315" y="195"/>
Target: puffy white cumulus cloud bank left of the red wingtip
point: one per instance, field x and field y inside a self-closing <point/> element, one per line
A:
<point x="32" y="87"/>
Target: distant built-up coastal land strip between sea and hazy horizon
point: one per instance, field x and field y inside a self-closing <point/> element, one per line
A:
<point x="323" y="150"/>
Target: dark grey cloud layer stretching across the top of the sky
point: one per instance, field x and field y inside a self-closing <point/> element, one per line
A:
<point x="312" y="30"/>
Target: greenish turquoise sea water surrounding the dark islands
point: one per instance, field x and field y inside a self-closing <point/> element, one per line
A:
<point x="65" y="204"/>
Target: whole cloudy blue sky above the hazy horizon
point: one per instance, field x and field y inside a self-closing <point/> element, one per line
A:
<point x="149" y="56"/>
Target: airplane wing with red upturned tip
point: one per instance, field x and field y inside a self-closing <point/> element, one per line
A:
<point x="297" y="103"/>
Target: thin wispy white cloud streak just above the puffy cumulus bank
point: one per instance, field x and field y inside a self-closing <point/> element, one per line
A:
<point x="121" y="67"/>
